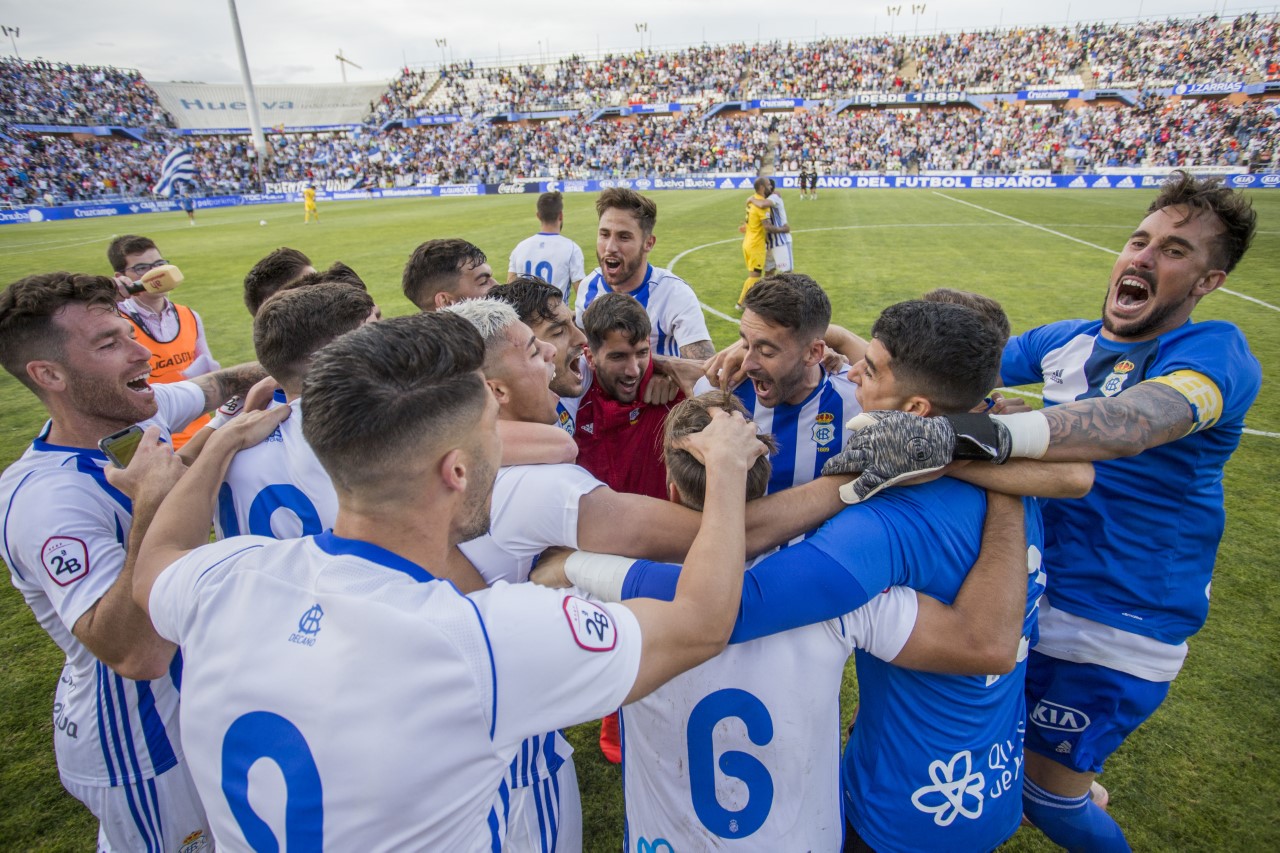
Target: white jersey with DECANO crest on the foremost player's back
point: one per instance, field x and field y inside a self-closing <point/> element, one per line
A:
<point x="346" y="640"/>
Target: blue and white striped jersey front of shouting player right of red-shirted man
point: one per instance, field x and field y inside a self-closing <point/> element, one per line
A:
<point x="808" y="434"/>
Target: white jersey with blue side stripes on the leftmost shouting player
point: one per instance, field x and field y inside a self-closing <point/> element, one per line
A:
<point x="66" y="533"/>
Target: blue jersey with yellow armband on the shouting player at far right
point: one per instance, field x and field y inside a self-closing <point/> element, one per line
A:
<point x="1137" y="554"/>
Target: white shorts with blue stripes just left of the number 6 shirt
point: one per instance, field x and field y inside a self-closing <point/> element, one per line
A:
<point x="547" y="815"/>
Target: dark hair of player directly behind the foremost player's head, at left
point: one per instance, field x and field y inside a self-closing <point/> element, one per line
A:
<point x="295" y="323"/>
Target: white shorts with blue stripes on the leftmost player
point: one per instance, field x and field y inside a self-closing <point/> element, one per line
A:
<point x="162" y="814"/>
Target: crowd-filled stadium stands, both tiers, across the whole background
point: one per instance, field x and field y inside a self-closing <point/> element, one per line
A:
<point x="479" y="145"/>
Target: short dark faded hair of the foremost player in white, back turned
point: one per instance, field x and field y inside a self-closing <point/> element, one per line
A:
<point x="377" y="396"/>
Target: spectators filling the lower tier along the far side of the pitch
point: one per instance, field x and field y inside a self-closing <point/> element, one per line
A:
<point x="1008" y="138"/>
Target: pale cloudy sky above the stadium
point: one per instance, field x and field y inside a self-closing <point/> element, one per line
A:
<point x="295" y="42"/>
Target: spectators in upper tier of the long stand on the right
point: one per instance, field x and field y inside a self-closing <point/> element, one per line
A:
<point x="1136" y="56"/>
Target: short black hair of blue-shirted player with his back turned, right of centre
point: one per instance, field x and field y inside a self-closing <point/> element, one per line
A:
<point x="948" y="354"/>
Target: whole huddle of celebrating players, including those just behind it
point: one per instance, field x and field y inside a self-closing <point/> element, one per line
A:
<point x="442" y="539"/>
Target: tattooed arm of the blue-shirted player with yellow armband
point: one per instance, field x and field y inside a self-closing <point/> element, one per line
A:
<point x="1148" y="416"/>
